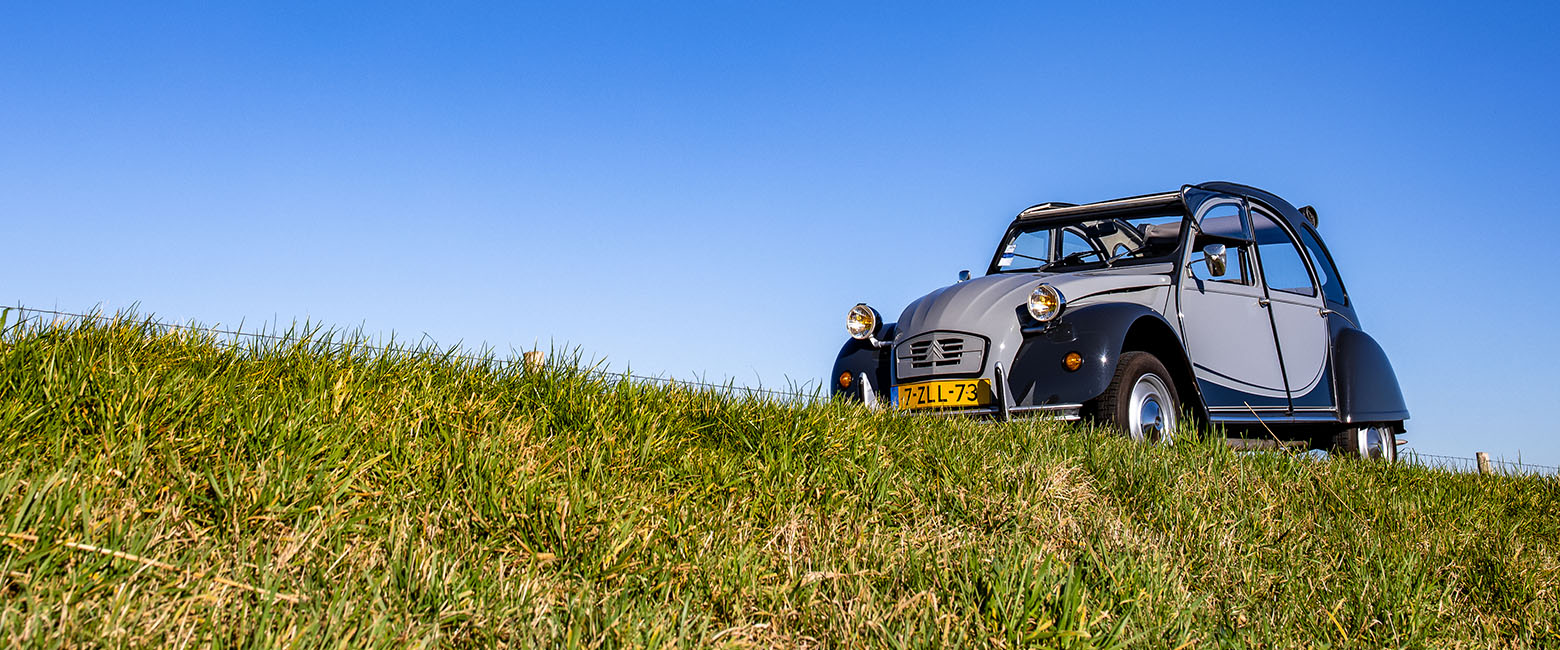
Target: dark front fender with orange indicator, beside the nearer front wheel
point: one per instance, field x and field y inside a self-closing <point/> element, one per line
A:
<point x="1096" y="333"/>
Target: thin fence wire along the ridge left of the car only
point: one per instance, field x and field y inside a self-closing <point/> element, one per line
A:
<point x="484" y="359"/>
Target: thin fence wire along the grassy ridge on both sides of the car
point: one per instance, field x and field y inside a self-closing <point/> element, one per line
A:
<point x="1430" y="461"/>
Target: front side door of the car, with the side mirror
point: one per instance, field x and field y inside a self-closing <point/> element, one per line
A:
<point x="1225" y="319"/>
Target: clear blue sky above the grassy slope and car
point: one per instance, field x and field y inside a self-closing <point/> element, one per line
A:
<point x="706" y="189"/>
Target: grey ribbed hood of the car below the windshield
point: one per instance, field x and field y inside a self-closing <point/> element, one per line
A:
<point x="994" y="302"/>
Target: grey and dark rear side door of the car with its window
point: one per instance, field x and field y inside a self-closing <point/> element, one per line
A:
<point x="1299" y="319"/>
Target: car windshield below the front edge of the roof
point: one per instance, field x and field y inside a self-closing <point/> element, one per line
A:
<point x="1090" y="242"/>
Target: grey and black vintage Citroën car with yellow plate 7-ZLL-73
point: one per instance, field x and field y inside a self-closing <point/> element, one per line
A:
<point x="1218" y="302"/>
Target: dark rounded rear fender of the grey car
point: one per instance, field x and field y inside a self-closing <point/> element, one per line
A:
<point x="1367" y="387"/>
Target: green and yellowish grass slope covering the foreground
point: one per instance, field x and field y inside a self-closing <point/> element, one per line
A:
<point x="391" y="500"/>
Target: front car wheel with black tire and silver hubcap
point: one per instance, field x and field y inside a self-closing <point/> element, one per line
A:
<point x="1155" y="422"/>
